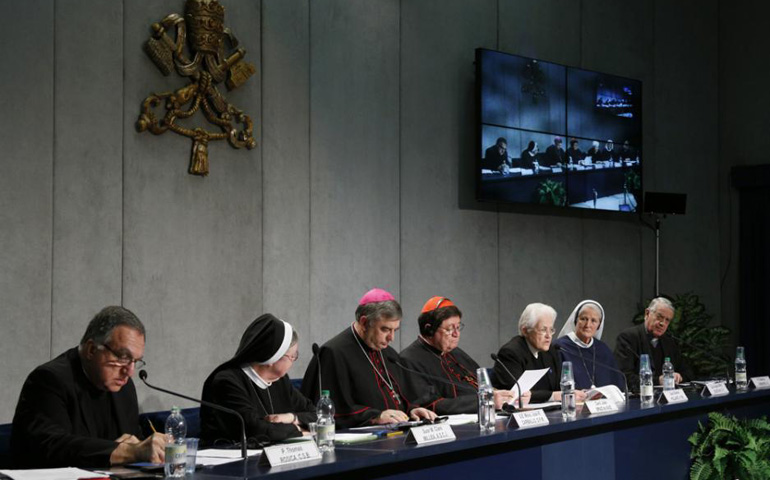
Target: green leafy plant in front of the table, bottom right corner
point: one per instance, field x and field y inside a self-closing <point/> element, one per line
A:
<point x="727" y="447"/>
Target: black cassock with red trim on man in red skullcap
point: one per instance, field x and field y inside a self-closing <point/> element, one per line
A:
<point x="458" y="393"/>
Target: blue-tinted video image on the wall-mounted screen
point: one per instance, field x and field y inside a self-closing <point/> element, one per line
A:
<point x="556" y="135"/>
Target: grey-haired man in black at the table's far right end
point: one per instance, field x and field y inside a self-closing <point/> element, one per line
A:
<point x="650" y="338"/>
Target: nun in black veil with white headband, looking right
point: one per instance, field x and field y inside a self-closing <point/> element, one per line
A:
<point x="254" y="383"/>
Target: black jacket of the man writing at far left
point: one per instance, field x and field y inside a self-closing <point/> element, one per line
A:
<point x="52" y="426"/>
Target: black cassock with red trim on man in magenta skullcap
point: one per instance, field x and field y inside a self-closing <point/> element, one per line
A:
<point x="359" y="383"/>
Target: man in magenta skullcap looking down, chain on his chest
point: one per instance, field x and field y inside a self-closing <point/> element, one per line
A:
<point x="360" y="369"/>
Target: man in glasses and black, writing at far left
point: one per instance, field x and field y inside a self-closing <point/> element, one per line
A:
<point x="80" y="409"/>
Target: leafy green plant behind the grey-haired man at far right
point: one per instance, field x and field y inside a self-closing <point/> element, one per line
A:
<point x="704" y="345"/>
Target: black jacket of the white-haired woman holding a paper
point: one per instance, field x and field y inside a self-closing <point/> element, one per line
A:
<point x="516" y="356"/>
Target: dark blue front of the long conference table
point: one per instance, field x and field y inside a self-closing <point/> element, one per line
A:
<point x="633" y="443"/>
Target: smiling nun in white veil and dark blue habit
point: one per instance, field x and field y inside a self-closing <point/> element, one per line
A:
<point x="580" y="342"/>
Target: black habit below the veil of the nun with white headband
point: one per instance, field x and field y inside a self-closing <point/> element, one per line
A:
<point x="232" y="388"/>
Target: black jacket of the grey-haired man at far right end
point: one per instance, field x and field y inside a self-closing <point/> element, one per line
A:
<point x="633" y="342"/>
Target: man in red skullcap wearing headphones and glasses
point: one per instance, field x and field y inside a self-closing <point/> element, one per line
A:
<point x="449" y="370"/>
